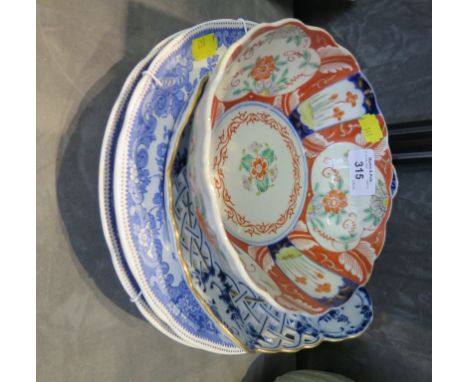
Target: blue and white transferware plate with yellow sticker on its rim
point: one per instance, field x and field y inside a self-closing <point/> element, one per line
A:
<point x="158" y="101"/>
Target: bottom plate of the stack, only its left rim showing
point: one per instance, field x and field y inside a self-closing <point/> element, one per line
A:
<point x="106" y="201"/>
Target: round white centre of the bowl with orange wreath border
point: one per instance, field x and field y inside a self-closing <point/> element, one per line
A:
<point x="260" y="172"/>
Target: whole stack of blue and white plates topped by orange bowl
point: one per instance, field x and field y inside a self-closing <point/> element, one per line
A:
<point x="205" y="234"/>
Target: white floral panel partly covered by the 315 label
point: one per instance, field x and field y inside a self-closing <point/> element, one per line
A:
<point x="335" y="227"/>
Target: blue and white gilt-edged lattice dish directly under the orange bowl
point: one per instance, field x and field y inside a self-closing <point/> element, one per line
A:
<point x="258" y="325"/>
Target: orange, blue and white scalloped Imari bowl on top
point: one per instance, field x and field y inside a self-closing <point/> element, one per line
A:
<point x="289" y="167"/>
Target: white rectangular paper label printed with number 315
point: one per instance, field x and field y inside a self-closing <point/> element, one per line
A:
<point x="361" y="172"/>
